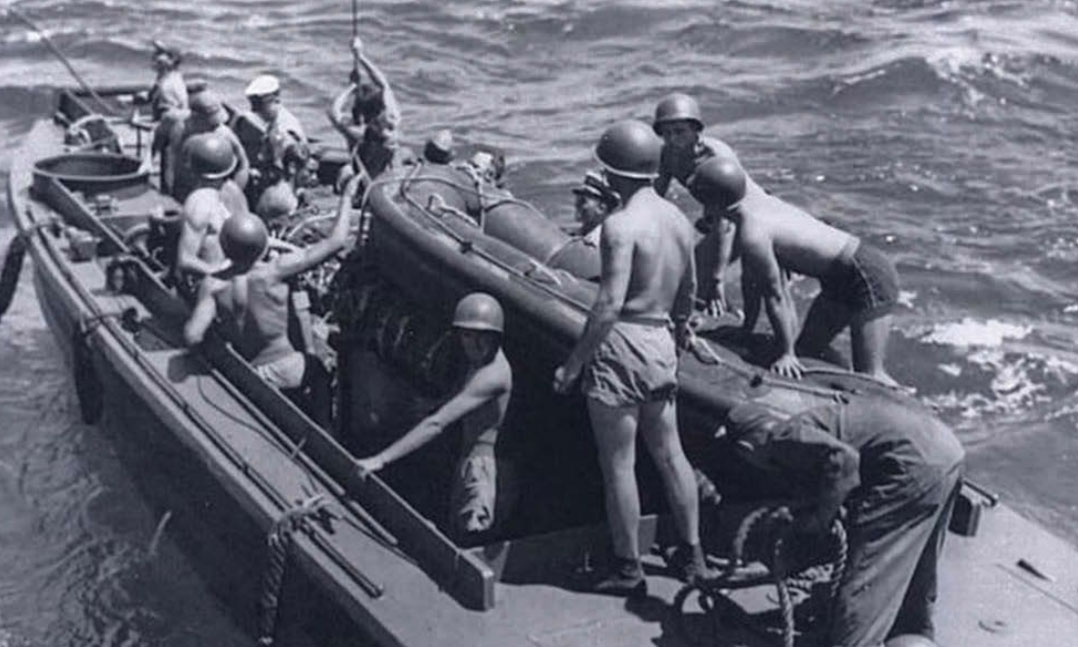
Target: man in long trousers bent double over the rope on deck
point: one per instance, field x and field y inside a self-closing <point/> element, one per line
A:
<point x="899" y="472"/>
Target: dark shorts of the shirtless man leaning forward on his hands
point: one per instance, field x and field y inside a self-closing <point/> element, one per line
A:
<point x="865" y="281"/>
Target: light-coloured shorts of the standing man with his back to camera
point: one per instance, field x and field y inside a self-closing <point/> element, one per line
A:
<point x="635" y="364"/>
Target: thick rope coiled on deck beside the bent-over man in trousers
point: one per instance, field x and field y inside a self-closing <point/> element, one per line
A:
<point x="772" y="525"/>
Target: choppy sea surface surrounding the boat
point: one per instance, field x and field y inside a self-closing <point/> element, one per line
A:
<point x="944" y="132"/>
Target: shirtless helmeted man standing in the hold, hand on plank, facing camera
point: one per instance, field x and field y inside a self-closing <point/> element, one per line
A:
<point x="480" y="405"/>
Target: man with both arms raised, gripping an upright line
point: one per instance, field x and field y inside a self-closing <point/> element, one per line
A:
<point x="372" y="127"/>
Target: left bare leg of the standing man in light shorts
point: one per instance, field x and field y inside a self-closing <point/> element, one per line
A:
<point x="615" y="430"/>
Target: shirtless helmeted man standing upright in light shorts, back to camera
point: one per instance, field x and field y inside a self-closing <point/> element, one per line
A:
<point x="628" y="355"/>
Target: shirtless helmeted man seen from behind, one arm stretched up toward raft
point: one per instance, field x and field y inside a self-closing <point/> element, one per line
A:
<point x="255" y="294"/>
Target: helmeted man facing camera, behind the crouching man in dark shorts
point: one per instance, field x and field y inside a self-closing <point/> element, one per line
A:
<point x="679" y="122"/>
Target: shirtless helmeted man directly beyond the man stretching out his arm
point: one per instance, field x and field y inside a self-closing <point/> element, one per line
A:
<point x="206" y="209"/>
